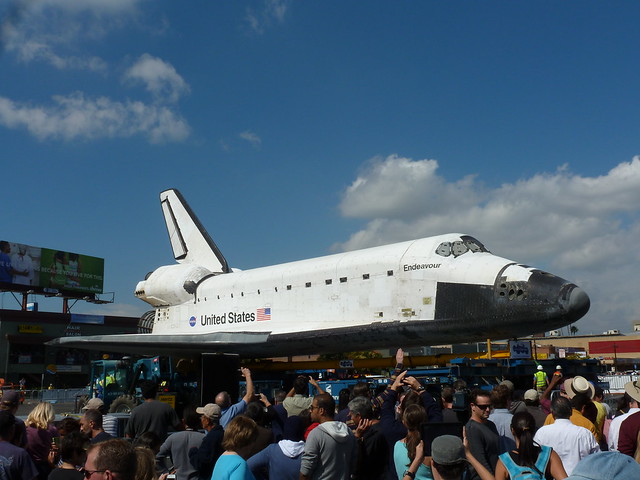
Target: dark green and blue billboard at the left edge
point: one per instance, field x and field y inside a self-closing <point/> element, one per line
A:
<point x="24" y="267"/>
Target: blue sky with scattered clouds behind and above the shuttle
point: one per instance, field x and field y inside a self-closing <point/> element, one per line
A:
<point x="297" y="129"/>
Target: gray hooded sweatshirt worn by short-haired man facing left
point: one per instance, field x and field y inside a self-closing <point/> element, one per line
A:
<point x="330" y="452"/>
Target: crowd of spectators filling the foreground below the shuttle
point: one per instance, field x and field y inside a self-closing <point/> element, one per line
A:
<point x="406" y="432"/>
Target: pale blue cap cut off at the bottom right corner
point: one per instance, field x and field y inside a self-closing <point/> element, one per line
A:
<point x="606" y="466"/>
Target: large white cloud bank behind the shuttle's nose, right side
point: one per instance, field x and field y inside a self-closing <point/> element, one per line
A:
<point x="581" y="228"/>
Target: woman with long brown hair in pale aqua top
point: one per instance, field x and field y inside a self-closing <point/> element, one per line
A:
<point x="404" y="451"/>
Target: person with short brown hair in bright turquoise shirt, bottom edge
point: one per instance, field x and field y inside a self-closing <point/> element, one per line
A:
<point x="239" y="435"/>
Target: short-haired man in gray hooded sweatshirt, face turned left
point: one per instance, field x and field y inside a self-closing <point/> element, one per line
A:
<point x="330" y="451"/>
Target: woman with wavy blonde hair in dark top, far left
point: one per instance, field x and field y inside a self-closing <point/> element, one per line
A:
<point x="40" y="434"/>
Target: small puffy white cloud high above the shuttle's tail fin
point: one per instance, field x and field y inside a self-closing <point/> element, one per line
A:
<point x="159" y="78"/>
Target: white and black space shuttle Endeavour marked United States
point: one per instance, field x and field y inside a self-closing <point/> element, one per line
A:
<point x="431" y="291"/>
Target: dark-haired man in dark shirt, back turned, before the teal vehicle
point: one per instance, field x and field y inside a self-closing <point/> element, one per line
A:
<point x="152" y="415"/>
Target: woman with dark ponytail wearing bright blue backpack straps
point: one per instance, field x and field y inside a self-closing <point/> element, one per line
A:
<point x="528" y="455"/>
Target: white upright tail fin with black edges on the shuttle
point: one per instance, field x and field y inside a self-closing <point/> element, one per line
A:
<point x="190" y="241"/>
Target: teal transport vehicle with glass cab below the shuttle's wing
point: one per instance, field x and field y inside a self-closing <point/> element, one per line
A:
<point x="116" y="382"/>
